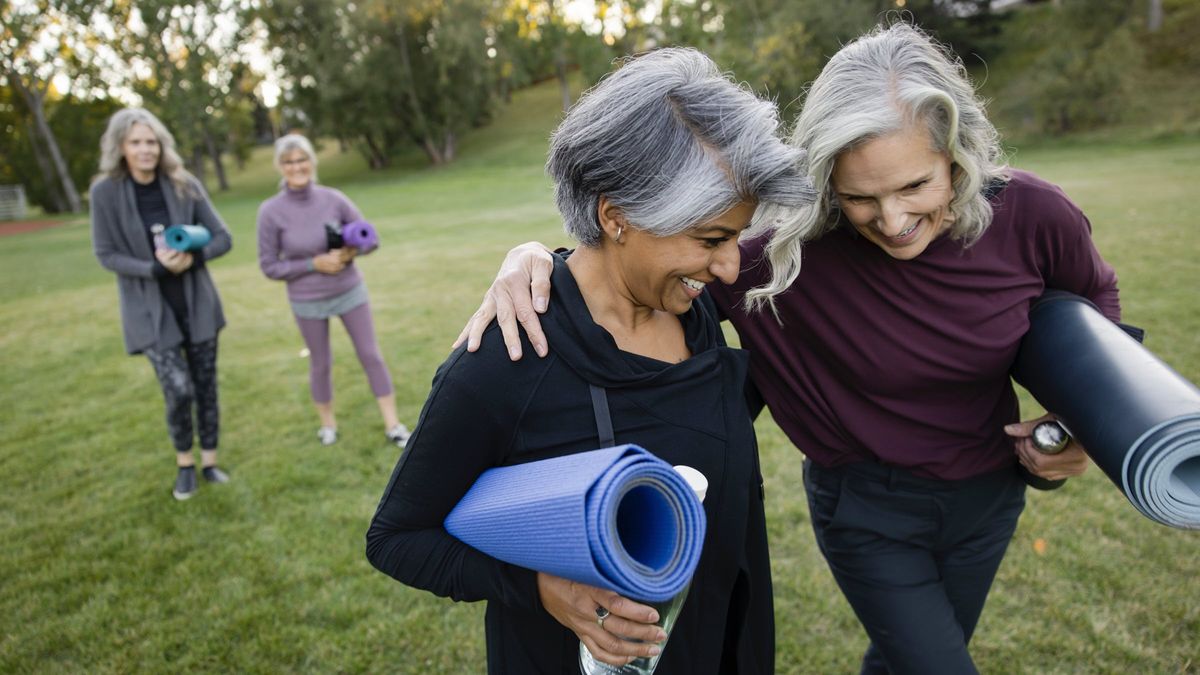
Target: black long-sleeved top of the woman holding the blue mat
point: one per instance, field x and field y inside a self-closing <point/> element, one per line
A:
<point x="487" y="411"/>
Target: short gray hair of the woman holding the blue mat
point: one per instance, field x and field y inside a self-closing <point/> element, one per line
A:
<point x="673" y="144"/>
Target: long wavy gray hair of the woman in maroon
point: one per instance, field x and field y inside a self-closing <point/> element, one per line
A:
<point x="885" y="81"/>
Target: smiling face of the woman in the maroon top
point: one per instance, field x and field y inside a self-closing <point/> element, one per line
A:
<point x="896" y="190"/>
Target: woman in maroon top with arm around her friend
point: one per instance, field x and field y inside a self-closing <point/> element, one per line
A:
<point x="887" y="361"/>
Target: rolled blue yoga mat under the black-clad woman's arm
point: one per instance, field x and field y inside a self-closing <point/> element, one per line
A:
<point x="616" y="518"/>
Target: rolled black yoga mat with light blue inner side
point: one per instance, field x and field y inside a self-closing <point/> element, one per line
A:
<point x="1137" y="417"/>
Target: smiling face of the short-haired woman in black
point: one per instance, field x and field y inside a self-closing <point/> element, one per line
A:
<point x="668" y="273"/>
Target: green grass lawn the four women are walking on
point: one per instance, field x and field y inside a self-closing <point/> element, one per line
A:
<point x="104" y="572"/>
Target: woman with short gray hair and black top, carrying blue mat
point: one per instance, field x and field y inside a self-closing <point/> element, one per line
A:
<point x="657" y="170"/>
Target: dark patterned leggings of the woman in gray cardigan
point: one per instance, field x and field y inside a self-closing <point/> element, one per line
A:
<point x="188" y="374"/>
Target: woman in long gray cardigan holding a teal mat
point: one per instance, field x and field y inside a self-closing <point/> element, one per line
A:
<point x="170" y="308"/>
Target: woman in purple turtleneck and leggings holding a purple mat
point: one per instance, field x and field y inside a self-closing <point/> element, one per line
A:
<point x="322" y="283"/>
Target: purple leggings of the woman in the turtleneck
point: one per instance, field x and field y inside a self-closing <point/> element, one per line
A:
<point x="359" y="325"/>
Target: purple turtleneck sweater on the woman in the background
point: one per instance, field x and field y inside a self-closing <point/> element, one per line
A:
<point x="292" y="232"/>
